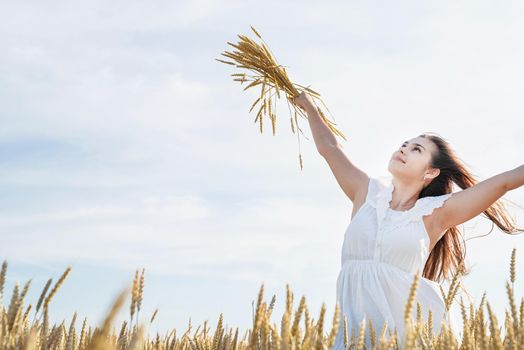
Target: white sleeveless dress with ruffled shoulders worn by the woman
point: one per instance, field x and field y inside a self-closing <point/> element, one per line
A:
<point x="381" y="253"/>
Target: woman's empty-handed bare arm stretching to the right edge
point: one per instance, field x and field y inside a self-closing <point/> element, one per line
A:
<point x="466" y="204"/>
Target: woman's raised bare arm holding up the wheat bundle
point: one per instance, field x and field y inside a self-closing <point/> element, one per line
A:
<point x="352" y="180"/>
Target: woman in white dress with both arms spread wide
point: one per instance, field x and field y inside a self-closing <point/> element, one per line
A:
<point x="405" y="226"/>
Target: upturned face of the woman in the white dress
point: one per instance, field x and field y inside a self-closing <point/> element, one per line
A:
<point x="412" y="159"/>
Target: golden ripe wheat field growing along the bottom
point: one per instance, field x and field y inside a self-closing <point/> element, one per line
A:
<point x="22" y="328"/>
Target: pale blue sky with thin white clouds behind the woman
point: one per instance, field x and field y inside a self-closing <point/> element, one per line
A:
<point x="125" y="145"/>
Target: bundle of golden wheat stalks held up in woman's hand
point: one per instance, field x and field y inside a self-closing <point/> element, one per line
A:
<point x="273" y="79"/>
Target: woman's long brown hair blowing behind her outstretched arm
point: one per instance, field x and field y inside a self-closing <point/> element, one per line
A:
<point x="449" y="252"/>
